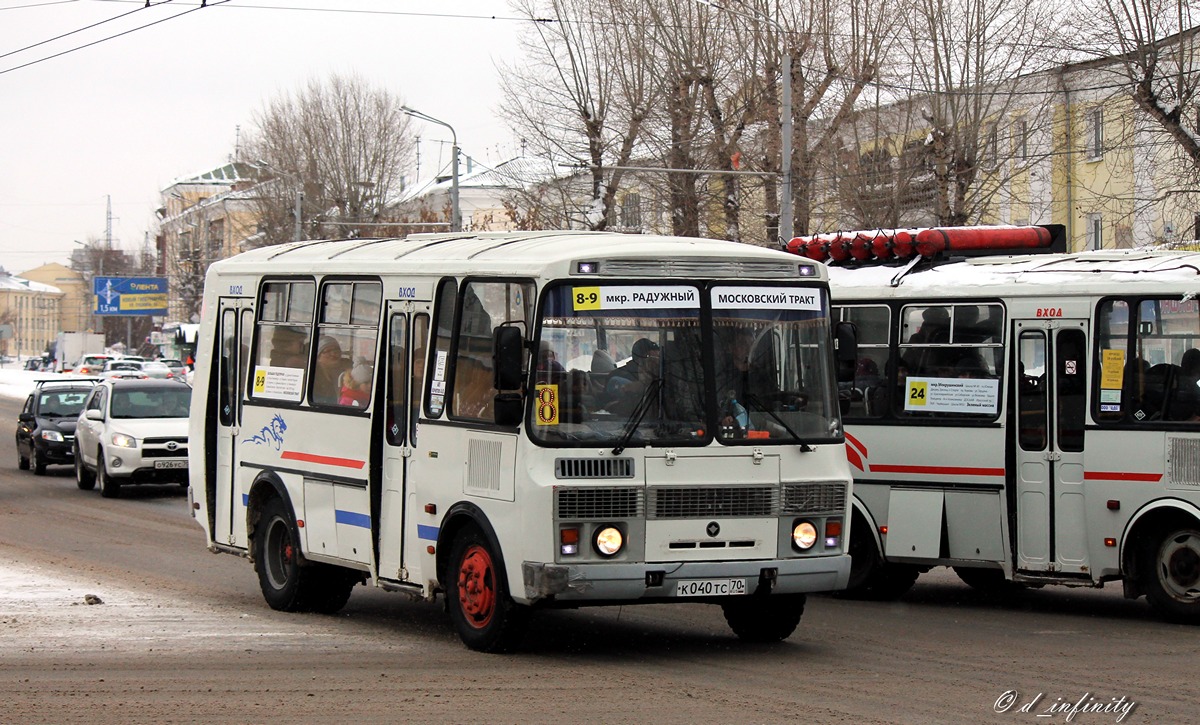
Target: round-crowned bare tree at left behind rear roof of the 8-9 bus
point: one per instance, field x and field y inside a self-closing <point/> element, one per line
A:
<point x="343" y="146"/>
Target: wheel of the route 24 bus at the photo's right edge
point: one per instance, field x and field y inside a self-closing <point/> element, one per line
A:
<point x="1171" y="574"/>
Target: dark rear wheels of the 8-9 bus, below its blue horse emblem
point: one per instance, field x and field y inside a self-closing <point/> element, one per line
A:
<point x="289" y="585"/>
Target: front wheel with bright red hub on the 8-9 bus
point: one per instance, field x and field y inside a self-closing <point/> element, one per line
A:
<point x="478" y="596"/>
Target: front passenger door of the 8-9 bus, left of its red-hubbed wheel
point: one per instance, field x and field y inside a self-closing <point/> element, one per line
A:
<point x="405" y="353"/>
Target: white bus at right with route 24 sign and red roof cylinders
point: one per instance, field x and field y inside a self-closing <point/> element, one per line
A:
<point x="1025" y="420"/>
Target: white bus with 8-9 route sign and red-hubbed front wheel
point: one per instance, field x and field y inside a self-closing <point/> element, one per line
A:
<point x="523" y="421"/>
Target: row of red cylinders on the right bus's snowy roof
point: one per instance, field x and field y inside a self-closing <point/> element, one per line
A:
<point x="885" y="245"/>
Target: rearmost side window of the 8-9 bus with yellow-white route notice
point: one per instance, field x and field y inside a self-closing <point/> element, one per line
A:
<point x="284" y="337"/>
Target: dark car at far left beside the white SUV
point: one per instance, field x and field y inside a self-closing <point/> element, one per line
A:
<point x="46" y="426"/>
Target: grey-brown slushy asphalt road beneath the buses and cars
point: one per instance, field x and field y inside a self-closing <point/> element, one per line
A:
<point x="183" y="636"/>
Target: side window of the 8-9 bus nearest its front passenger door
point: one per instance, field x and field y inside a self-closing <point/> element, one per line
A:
<point x="346" y="344"/>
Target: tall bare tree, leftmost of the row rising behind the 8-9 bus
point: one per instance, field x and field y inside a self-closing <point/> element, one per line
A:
<point x="583" y="97"/>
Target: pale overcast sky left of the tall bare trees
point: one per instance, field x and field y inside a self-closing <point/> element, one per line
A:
<point x="129" y="116"/>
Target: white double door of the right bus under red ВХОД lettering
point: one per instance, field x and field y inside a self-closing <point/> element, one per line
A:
<point x="1051" y="418"/>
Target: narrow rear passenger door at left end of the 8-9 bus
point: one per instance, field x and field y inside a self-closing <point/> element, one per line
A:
<point x="236" y="329"/>
